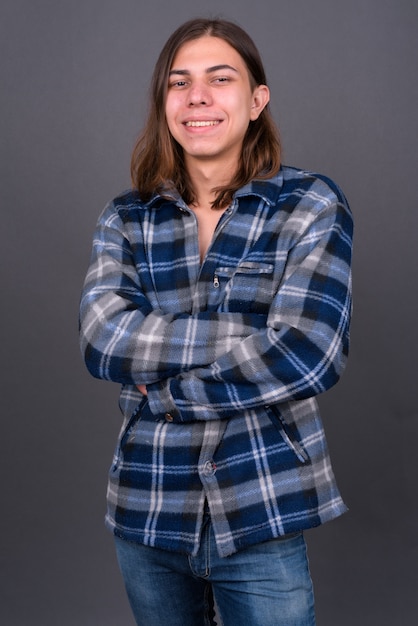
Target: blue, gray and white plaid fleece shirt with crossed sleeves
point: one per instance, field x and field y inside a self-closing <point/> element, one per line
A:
<point x="233" y="352"/>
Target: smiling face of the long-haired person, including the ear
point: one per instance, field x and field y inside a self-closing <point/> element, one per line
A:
<point x="210" y="102"/>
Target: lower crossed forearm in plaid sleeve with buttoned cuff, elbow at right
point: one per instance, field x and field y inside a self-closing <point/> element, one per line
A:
<point x="298" y="368"/>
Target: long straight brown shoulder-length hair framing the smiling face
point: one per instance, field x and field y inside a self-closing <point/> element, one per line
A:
<point x="157" y="159"/>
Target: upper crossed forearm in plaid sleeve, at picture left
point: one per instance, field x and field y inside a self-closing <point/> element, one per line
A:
<point x="143" y="346"/>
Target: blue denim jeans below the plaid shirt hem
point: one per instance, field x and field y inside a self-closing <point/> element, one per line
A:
<point x="268" y="584"/>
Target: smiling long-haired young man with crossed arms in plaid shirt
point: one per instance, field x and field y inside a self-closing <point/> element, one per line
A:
<point x="219" y="296"/>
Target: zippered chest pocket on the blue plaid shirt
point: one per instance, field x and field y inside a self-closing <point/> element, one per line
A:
<point x="246" y="287"/>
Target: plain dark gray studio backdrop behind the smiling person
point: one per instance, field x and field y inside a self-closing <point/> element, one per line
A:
<point x="74" y="78"/>
